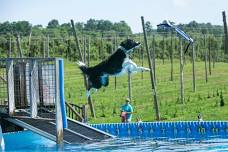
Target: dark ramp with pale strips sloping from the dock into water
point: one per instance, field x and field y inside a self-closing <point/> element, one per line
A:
<point x="76" y="132"/>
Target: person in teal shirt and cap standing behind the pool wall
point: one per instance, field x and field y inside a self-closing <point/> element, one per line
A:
<point x="126" y="111"/>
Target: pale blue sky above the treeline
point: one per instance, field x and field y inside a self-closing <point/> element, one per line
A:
<point x="155" y="11"/>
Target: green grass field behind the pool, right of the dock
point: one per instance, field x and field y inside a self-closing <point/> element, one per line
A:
<point x="108" y="100"/>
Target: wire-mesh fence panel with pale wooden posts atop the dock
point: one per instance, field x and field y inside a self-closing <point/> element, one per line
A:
<point x="30" y="84"/>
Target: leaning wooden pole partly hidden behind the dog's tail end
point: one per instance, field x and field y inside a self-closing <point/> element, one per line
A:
<point x="85" y="79"/>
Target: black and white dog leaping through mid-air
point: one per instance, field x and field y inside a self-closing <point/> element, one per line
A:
<point x="117" y="64"/>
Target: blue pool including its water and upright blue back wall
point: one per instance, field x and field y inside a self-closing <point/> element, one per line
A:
<point x="171" y="136"/>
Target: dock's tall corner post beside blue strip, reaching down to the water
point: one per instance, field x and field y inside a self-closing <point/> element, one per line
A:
<point x="58" y="119"/>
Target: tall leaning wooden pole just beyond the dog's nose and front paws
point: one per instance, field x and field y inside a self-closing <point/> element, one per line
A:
<point x="154" y="93"/>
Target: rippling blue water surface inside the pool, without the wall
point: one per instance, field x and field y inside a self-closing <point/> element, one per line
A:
<point x="29" y="141"/>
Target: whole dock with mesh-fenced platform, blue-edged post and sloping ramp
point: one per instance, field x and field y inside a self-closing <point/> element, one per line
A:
<point x="32" y="97"/>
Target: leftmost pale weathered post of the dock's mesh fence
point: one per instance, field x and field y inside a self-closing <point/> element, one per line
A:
<point x="10" y="86"/>
